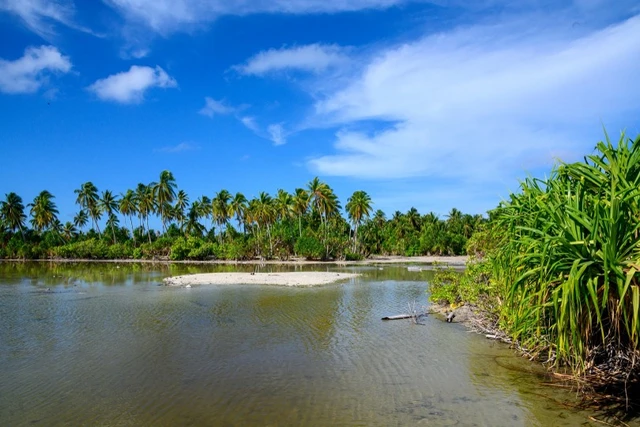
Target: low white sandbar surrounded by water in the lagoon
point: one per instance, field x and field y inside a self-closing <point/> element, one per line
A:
<point x="307" y="278"/>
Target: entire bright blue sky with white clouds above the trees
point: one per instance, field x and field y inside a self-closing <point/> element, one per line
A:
<point x="427" y="104"/>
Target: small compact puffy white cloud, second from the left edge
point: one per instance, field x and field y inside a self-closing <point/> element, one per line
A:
<point x="130" y="86"/>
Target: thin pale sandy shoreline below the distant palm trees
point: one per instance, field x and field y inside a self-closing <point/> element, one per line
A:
<point x="452" y="261"/>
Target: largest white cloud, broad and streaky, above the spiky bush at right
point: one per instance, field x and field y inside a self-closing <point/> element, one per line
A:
<point x="483" y="102"/>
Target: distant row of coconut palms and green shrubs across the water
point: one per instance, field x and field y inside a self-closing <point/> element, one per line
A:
<point x="306" y="223"/>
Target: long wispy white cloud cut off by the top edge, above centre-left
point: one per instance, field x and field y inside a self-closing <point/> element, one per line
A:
<point x="166" y="16"/>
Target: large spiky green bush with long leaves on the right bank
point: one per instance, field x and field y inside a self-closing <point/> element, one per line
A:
<point x="561" y="269"/>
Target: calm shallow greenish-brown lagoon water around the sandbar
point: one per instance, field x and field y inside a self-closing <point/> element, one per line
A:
<point x="107" y="345"/>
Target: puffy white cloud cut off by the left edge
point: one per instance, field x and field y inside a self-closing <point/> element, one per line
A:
<point x="31" y="72"/>
